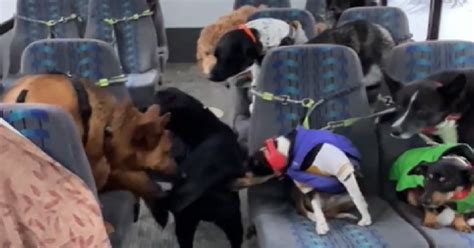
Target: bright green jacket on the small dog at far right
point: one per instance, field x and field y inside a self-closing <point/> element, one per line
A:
<point x="414" y="157"/>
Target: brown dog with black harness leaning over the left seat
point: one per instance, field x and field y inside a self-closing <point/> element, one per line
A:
<point x="120" y="142"/>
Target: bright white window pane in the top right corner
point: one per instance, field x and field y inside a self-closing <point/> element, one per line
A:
<point x="457" y="20"/>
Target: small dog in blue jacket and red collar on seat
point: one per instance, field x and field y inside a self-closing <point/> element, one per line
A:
<point x="322" y="165"/>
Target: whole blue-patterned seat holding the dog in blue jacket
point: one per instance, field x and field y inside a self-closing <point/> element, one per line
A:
<point x="317" y="71"/>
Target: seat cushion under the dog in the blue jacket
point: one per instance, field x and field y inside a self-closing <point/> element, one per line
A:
<point x="274" y="216"/>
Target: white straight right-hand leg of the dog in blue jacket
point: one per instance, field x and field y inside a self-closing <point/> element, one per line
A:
<point x="350" y="183"/>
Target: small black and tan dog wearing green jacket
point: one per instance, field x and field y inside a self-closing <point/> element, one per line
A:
<point x="440" y="179"/>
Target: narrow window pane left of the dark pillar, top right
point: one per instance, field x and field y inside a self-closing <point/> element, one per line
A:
<point x="418" y="13"/>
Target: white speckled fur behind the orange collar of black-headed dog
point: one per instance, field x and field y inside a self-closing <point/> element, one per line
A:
<point x="271" y="31"/>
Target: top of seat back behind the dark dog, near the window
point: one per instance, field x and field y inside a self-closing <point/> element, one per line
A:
<point x="391" y="18"/>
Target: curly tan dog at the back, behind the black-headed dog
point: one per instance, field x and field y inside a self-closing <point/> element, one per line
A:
<point x="211" y="34"/>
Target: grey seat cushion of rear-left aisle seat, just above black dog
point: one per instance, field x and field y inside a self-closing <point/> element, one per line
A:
<point x="142" y="87"/>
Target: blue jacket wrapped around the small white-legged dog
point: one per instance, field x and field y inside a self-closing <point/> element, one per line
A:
<point x="337" y="167"/>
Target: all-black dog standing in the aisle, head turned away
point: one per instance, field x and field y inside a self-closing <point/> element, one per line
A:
<point x="214" y="159"/>
